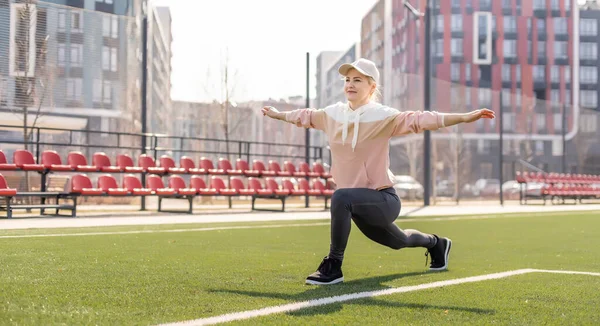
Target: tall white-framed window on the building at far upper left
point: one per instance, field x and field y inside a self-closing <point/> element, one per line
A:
<point x="23" y="23"/>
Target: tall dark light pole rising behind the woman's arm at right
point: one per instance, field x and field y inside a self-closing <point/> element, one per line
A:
<point x="426" y="95"/>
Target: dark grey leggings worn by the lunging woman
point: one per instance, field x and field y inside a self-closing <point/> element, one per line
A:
<point x="374" y="212"/>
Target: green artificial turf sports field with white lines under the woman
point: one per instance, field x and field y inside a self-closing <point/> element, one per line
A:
<point x="503" y="269"/>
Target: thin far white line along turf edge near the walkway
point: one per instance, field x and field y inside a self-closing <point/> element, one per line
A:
<point x="400" y="220"/>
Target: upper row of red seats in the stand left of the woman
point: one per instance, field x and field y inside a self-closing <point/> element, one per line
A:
<point x="77" y="162"/>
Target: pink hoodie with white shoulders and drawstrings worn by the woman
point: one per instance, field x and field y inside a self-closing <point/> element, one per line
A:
<point x="363" y="161"/>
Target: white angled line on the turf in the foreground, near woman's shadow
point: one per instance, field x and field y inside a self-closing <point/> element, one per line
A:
<point x="360" y="295"/>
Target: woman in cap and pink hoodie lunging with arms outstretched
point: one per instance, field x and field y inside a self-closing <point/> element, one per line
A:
<point x="358" y="133"/>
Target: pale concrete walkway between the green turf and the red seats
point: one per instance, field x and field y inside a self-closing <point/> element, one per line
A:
<point x="244" y="215"/>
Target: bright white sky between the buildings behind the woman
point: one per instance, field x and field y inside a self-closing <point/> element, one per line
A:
<point x="266" y="42"/>
